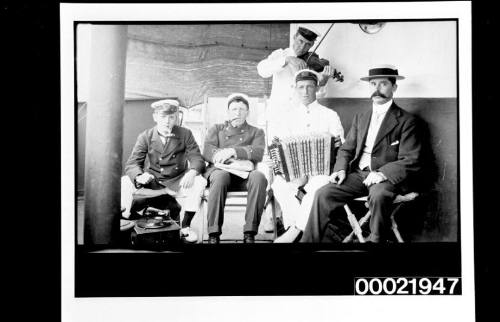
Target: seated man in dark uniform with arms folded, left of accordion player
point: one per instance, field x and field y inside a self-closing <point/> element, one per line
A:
<point x="234" y="140"/>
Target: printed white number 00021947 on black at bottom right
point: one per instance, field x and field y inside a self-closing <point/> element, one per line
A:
<point x="407" y="286"/>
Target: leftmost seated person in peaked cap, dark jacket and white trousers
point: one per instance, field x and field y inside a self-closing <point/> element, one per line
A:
<point x="173" y="168"/>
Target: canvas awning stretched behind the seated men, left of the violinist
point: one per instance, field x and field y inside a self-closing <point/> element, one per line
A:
<point x="189" y="61"/>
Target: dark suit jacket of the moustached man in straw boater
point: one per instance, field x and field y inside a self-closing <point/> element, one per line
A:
<point x="396" y="151"/>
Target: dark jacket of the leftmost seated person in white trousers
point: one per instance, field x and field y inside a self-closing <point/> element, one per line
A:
<point x="167" y="163"/>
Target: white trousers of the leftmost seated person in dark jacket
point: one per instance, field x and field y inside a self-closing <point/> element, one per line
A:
<point x="190" y="199"/>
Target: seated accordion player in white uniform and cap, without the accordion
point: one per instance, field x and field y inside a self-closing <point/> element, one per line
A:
<point x="306" y="116"/>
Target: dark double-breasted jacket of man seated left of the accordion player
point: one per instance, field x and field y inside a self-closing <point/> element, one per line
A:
<point x="247" y="140"/>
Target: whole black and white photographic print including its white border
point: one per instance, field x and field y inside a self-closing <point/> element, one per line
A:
<point x="230" y="157"/>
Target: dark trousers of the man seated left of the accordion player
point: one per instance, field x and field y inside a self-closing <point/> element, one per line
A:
<point x="220" y="182"/>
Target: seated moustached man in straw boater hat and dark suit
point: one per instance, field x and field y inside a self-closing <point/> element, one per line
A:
<point x="380" y="158"/>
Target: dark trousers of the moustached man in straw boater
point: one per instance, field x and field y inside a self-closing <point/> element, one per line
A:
<point x="332" y="196"/>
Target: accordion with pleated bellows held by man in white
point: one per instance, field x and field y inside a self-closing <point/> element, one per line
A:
<point x="304" y="155"/>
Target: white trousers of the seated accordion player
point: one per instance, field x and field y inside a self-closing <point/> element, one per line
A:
<point x="294" y="212"/>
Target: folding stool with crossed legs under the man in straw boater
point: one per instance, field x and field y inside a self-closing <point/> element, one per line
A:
<point x="356" y="225"/>
